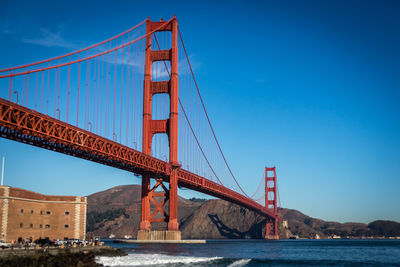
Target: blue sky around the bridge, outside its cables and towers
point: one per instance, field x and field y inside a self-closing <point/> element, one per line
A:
<point x="312" y="87"/>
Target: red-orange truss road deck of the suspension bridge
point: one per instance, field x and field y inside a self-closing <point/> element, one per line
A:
<point x="30" y="127"/>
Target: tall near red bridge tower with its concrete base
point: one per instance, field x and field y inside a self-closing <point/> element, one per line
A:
<point x="169" y="127"/>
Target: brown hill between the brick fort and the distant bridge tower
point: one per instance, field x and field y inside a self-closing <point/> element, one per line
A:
<point x="116" y="211"/>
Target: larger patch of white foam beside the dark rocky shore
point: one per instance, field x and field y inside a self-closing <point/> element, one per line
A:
<point x="150" y="259"/>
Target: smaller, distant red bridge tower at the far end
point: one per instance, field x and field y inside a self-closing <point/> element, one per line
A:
<point x="271" y="227"/>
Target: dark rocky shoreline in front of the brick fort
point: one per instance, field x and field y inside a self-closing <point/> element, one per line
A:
<point x="82" y="256"/>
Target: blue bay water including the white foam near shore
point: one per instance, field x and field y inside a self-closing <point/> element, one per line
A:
<point x="231" y="253"/>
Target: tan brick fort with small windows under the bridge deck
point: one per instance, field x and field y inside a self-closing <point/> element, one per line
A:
<point x="31" y="215"/>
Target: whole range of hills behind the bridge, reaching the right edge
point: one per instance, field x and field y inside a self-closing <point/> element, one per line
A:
<point x="116" y="211"/>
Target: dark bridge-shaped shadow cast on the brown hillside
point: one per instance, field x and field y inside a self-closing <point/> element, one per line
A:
<point x="255" y="230"/>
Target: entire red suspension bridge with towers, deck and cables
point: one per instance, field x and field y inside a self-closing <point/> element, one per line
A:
<point x="118" y="103"/>
